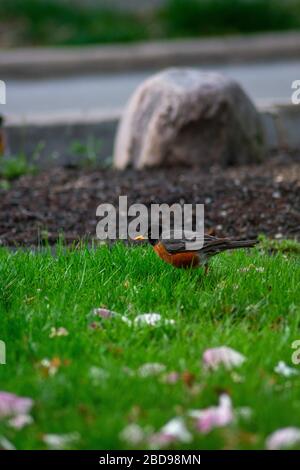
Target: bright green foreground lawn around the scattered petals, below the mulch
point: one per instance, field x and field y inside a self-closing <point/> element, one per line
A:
<point x="254" y="310"/>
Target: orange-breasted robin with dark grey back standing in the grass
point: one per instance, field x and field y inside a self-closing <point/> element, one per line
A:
<point x="180" y="253"/>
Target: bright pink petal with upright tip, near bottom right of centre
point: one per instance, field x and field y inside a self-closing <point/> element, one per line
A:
<point x="214" y="416"/>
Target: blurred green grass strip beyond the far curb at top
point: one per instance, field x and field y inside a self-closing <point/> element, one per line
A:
<point x="56" y="22"/>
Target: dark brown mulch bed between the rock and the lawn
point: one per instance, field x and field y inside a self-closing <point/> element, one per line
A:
<point x="239" y="202"/>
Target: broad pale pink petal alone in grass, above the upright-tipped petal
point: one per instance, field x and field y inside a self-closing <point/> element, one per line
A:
<point x="222" y="355"/>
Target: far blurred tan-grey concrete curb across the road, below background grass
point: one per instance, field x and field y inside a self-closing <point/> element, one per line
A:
<point x="49" y="62"/>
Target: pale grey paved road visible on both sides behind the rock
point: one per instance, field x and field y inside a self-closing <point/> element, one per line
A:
<point x="263" y="82"/>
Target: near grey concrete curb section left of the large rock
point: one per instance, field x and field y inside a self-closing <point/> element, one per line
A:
<point x="63" y="139"/>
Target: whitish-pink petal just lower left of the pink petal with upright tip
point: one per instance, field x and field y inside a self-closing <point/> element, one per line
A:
<point x="174" y="431"/>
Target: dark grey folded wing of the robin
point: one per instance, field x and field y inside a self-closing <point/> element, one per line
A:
<point x="179" y="242"/>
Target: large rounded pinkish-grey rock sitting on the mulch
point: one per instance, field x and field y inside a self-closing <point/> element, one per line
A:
<point x="185" y="116"/>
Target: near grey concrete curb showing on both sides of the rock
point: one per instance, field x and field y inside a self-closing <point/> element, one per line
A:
<point x="74" y="139"/>
